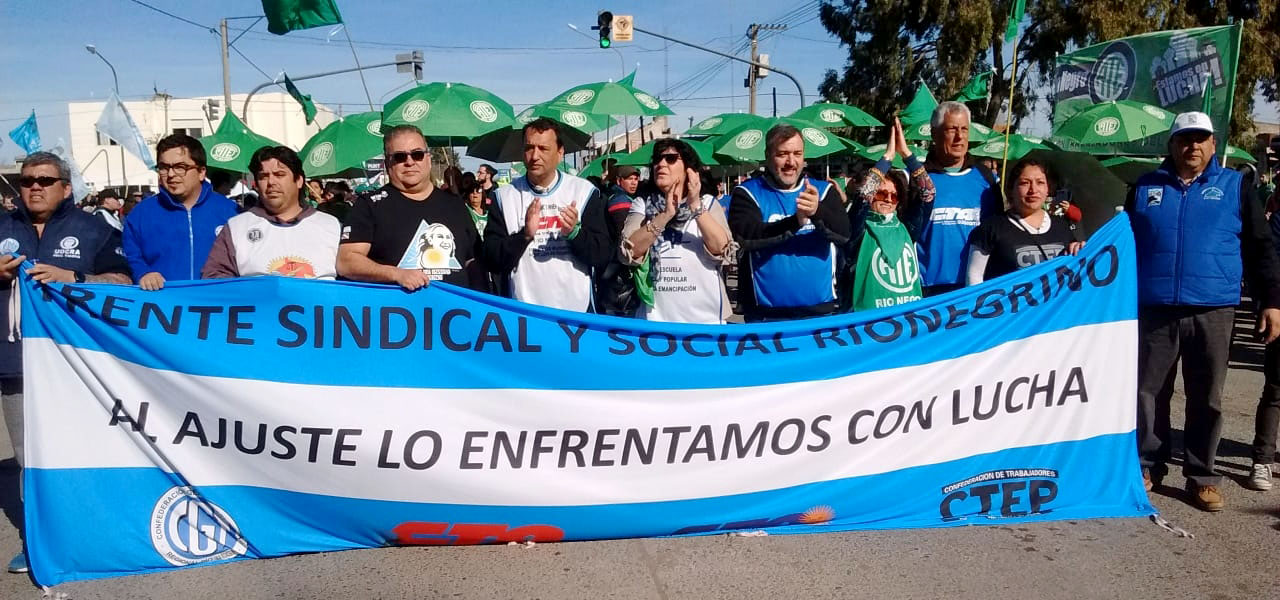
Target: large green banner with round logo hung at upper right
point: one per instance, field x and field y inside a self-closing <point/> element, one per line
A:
<point x="1168" y="70"/>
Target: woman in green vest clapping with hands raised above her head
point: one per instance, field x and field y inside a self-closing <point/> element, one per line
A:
<point x="880" y="264"/>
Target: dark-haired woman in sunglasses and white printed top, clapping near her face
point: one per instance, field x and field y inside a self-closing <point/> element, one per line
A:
<point x="678" y="240"/>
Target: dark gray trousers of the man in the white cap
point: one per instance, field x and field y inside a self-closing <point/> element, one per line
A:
<point x="1201" y="337"/>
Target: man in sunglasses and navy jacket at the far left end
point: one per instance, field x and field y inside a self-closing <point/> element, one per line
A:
<point x="68" y="246"/>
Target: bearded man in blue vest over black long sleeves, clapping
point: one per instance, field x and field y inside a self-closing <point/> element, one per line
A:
<point x="789" y="227"/>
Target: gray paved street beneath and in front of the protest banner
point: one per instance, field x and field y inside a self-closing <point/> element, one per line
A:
<point x="1236" y="555"/>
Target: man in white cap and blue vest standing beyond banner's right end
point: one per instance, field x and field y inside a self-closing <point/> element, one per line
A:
<point x="1200" y="232"/>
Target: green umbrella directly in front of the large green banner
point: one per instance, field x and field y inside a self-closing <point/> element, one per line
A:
<point x="1114" y="122"/>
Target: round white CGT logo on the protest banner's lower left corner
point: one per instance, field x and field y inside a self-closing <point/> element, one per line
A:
<point x="188" y="532"/>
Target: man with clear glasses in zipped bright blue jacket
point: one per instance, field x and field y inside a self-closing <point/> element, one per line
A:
<point x="168" y="236"/>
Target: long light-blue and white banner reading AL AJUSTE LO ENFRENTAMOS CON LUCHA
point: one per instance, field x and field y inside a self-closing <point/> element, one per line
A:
<point x="259" y="418"/>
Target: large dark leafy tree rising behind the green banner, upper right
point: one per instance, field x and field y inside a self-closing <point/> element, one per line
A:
<point x="893" y="44"/>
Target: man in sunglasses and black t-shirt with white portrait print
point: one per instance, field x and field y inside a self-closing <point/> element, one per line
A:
<point x="409" y="232"/>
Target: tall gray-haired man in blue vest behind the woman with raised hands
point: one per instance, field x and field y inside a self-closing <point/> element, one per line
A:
<point x="966" y="195"/>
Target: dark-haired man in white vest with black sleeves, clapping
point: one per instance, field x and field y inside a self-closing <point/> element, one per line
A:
<point x="548" y="230"/>
